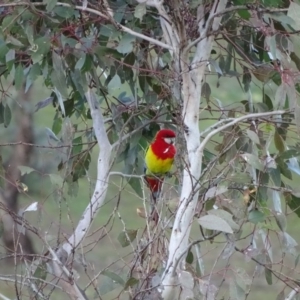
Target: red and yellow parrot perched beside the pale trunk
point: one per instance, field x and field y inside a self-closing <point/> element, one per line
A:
<point x="159" y="160"/>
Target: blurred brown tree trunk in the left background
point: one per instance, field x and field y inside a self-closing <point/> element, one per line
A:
<point x="14" y="241"/>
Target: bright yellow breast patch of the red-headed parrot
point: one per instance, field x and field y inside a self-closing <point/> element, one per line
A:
<point x="156" y="165"/>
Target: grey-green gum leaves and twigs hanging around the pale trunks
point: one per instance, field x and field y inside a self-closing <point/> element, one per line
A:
<point x="249" y="170"/>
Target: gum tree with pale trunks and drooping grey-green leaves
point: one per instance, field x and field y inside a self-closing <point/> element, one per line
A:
<point x="123" y="68"/>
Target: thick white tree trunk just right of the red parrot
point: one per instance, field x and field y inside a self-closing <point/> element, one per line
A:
<point x="191" y="89"/>
